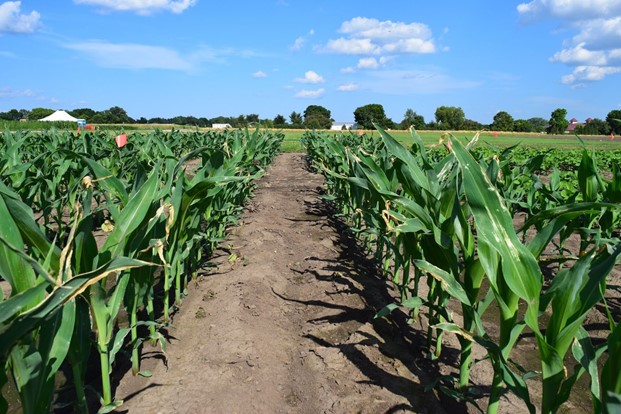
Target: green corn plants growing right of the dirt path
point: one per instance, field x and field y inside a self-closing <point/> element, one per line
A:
<point x="453" y="229"/>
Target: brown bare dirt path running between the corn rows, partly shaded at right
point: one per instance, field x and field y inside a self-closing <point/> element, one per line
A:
<point x="284" y="324"/>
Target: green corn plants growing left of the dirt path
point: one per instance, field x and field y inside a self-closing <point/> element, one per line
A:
<point x="90" y="231"/>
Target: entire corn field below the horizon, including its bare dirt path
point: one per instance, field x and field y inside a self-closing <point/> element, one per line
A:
<point x="499" y="253"/>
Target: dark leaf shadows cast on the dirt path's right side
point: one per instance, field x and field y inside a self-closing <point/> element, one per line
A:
<point x="396" y="339"/>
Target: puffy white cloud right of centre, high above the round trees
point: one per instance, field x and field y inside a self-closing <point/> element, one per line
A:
<point x="371" y="37"/>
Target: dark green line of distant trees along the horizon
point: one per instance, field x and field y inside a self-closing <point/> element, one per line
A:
<point x="317" y="117"/>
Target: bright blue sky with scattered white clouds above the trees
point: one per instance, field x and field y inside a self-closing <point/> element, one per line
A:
<point x="163" y="58"/>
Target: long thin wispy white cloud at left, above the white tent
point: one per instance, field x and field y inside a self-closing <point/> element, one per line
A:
<point x="132" y="56"/>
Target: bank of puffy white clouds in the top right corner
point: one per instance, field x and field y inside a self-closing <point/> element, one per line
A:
<point x="594" y="50"/>
